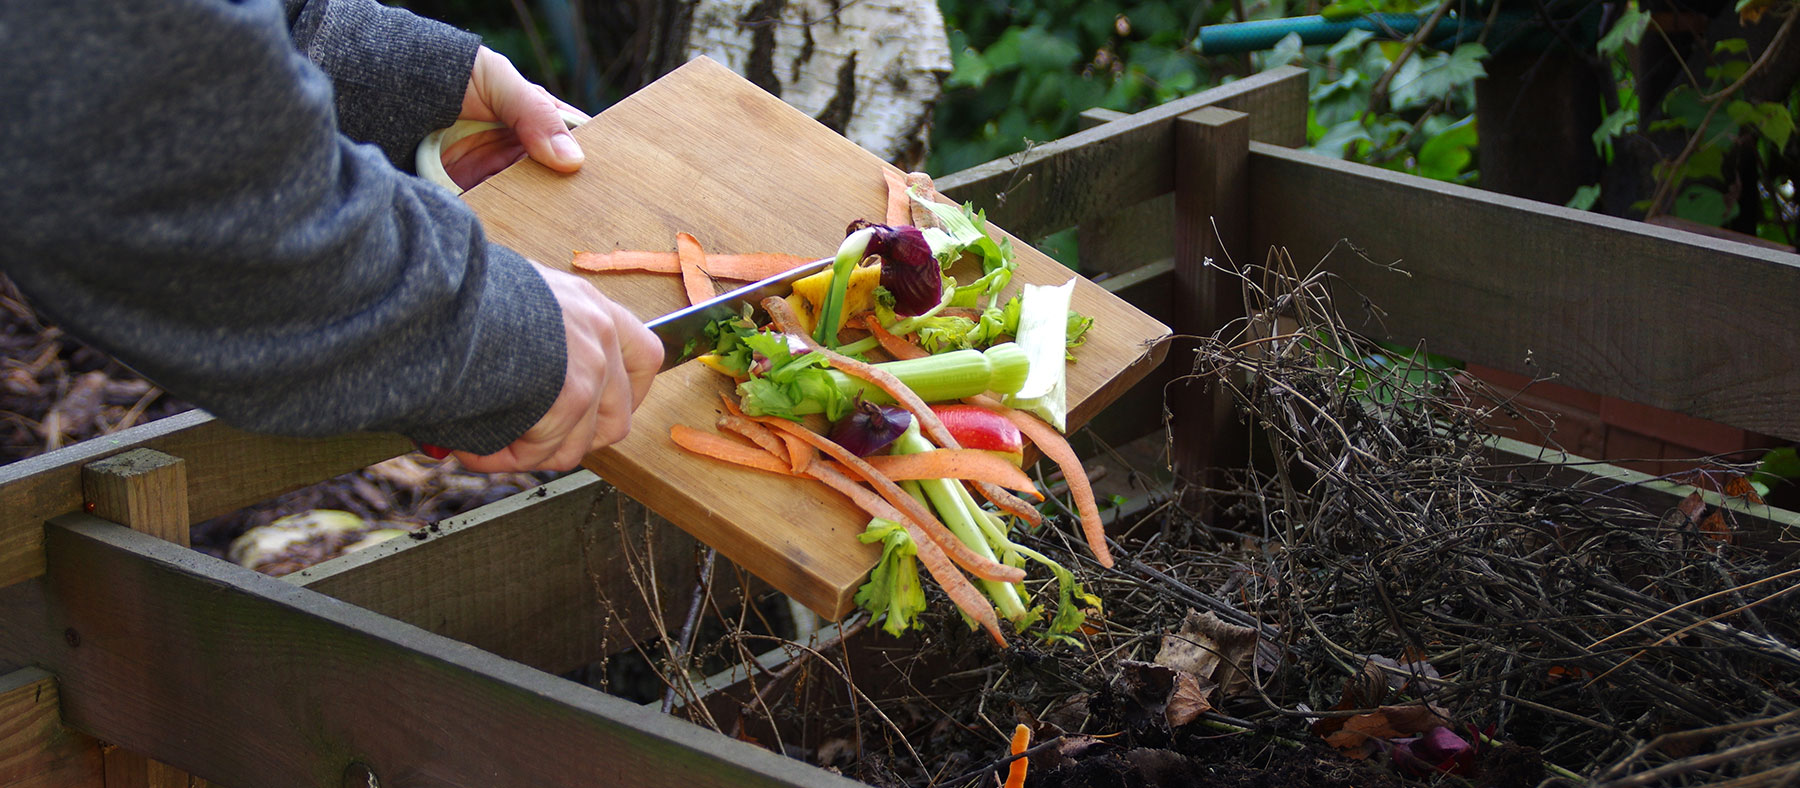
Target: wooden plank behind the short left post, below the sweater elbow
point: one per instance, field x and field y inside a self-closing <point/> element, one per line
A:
<point x="228" y="470"/>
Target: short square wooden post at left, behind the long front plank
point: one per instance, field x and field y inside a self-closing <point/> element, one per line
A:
<point x="143" y="490"/>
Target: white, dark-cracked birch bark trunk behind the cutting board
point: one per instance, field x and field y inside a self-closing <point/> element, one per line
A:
<point x="868" y="69"/>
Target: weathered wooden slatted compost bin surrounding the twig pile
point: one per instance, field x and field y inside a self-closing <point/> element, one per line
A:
<point x="435" y="663"/>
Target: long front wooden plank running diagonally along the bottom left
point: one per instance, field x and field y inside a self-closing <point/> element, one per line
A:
<point x="256" y="683"/>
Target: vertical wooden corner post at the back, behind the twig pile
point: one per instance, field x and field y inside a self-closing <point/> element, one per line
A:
<point x="1212" y="235"/>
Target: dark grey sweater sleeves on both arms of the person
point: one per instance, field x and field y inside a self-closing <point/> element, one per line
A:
<point x="177" y="190"/>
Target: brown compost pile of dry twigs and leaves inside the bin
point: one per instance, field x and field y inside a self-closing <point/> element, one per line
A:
<point x="1376" y="600"/>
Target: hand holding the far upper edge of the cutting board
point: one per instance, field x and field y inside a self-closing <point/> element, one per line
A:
<point x="532" y="116"/>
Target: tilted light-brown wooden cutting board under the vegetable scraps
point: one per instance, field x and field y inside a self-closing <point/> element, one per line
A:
<point x="706" y="152"/>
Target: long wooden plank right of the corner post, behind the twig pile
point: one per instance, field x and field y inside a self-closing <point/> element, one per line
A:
<point x="1621" y="309"/>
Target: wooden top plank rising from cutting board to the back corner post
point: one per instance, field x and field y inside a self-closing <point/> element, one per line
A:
<point x="1124" y="163"/>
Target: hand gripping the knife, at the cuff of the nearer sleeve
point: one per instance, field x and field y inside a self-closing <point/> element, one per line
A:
<point x="611" y="363"/>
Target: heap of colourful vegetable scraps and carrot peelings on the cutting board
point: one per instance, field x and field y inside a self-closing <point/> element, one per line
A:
<point x="897" y="442"/>
